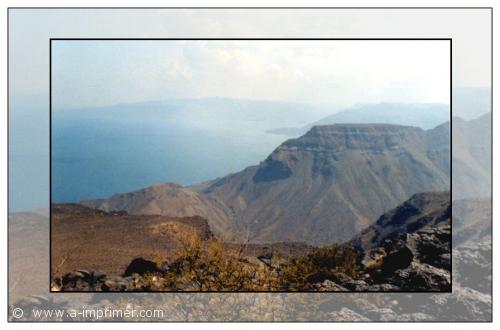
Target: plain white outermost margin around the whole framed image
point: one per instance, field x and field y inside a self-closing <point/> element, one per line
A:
<point x="228" y="3"/>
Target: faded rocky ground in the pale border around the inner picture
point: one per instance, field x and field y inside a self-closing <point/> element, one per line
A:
<point x="470" y="298"/>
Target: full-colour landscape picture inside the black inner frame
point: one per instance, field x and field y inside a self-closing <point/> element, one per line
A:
<point x="253" y="165"/>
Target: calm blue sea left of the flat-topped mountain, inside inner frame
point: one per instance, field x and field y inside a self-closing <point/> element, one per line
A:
<point x="96" y="157"/>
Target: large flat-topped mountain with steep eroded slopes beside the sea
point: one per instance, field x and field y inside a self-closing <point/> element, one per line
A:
<point x="332" y="182"/>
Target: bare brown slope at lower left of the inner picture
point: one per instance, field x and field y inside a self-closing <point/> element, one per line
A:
<point x="85" y="238"/>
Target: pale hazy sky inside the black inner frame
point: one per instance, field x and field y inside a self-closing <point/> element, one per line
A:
<point x="94" y="73"/>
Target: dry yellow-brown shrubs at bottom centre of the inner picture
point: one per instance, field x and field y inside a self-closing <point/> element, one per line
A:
<point x="209" y="265"/>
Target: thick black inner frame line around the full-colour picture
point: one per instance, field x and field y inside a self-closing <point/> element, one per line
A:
<point x="242" y="39"/>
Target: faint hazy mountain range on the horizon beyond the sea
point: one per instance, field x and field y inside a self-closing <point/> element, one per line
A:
<point x="210" y="113"/>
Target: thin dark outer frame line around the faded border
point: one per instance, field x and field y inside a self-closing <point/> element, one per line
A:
<point x="253" y="8"/>
